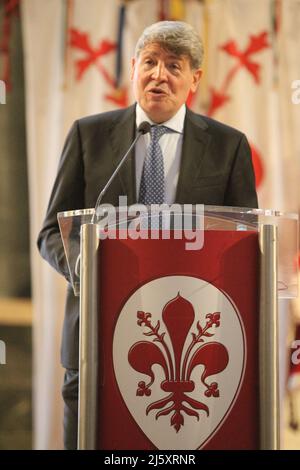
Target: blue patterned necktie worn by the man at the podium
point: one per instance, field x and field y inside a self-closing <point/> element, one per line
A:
<point x="152" y="188"/>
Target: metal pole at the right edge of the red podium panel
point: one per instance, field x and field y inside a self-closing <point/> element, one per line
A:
<point x="268" y="341"/>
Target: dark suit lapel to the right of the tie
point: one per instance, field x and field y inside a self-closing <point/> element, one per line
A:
<point x="194" y="146"/>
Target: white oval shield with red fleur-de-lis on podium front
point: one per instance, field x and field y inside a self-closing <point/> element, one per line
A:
<point x="179" y="358"/>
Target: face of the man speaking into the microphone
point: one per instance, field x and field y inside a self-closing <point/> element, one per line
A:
<point x="162" y="81"/>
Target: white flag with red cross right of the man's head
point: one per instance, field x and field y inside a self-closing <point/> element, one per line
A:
<point x="241" y="75"/>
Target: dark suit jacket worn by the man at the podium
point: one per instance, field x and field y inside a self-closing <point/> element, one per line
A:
<point x="216" y="169"/>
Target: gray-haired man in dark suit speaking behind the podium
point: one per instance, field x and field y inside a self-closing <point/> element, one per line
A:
<point x="204" y="162"/>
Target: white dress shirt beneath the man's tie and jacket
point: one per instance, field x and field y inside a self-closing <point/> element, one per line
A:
<point x="171" y="146"/>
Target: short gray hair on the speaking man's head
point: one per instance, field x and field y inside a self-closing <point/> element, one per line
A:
<point x="175" y="36"/>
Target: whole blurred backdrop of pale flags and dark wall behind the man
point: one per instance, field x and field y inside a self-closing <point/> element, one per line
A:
<point x="63" y="59"/>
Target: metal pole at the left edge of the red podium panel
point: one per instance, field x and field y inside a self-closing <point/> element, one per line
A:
<point x="88" y="337"/>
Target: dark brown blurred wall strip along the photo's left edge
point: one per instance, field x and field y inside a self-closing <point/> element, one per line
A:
<point x="15" y="281"/>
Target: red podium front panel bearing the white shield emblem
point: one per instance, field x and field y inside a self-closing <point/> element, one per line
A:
<point x="178" y="347"/>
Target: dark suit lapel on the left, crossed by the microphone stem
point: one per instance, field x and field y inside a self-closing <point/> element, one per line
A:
<point x="122" y="134"/>
